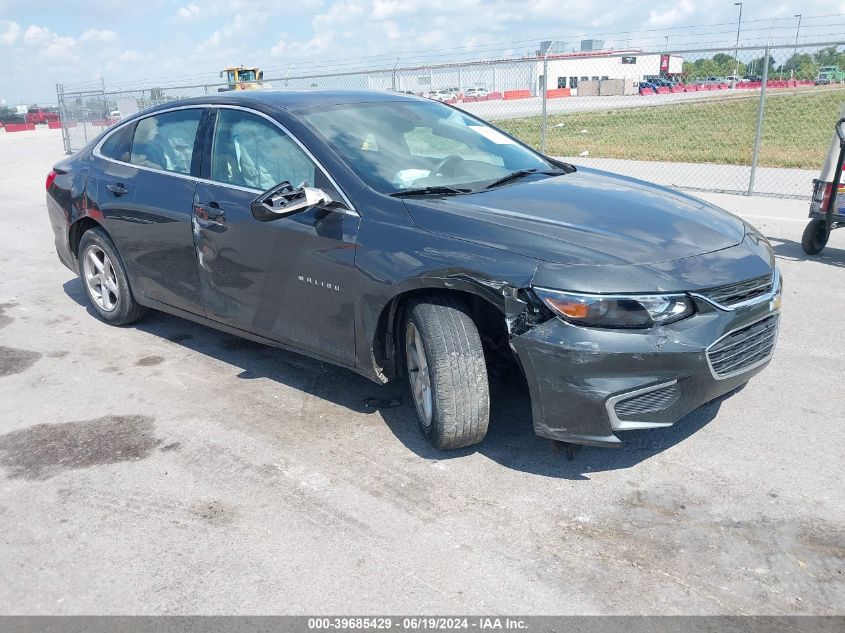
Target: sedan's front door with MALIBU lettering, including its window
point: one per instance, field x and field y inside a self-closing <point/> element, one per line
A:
<point x="288" y="279"/>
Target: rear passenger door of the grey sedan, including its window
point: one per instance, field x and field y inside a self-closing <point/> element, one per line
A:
<point x="146" y="176"/>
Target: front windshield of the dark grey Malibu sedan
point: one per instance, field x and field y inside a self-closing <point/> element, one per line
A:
<point x="399" y="145"/>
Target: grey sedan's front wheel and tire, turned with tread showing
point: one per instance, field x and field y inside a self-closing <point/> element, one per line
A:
<point x="453" y="367"/>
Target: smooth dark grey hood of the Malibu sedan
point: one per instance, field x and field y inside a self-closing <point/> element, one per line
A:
<point x="587" y="217"/>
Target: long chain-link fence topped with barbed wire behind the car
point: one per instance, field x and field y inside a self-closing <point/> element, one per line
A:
<point x="750" y="120"/>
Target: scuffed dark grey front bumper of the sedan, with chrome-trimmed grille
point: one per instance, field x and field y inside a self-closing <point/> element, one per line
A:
<point x="588" y="384"/>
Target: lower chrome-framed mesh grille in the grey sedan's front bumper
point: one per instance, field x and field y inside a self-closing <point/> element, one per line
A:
<point x="743" y="349"/>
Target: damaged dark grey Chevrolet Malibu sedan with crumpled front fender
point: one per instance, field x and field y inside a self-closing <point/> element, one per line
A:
<point x="406" y="239"/>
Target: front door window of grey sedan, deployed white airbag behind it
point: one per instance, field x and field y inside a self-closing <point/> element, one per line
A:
<point x="250" y="151"/>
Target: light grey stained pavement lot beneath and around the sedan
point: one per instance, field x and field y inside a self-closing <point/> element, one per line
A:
<point x="169" y="468"/>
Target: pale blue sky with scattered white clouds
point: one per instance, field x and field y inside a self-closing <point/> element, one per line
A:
<point x="43" y="42"/>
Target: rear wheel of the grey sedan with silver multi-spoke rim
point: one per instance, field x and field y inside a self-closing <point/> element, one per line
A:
<point x="105" y="281"/>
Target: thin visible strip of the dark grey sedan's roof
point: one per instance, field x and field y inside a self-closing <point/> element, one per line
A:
<point x="290" y="98"/>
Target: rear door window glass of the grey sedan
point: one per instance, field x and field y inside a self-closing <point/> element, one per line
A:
<point x="166" y="141"/>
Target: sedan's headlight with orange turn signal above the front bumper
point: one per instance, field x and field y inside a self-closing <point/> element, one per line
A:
<point x="617" y="311"/>
